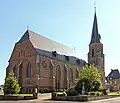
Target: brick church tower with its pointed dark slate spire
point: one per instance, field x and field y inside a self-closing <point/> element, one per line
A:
<point x="95" y="54"/>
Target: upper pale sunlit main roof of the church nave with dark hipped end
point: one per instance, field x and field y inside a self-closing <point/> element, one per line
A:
<point x="44" y="43"/>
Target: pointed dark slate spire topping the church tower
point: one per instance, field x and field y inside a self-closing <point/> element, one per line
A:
<point x="95" y="37"/>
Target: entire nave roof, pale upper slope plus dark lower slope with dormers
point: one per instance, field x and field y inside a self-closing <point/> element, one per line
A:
<point x="49" y="47"/>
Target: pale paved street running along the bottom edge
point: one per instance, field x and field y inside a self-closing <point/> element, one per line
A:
<point x="112" y="100"/>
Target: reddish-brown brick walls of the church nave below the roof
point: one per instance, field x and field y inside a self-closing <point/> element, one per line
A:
<point x="45" y="67"/>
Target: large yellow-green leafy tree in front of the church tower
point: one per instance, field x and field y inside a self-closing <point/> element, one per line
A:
<point x="91" y="79"/>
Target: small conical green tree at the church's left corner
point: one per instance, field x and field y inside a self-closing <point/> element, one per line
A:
<point x="11" y="85"/>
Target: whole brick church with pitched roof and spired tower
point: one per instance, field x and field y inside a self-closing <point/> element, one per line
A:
<point x="40" y="62"/>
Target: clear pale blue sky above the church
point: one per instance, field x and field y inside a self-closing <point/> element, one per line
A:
<point x="66" y="21"/>
